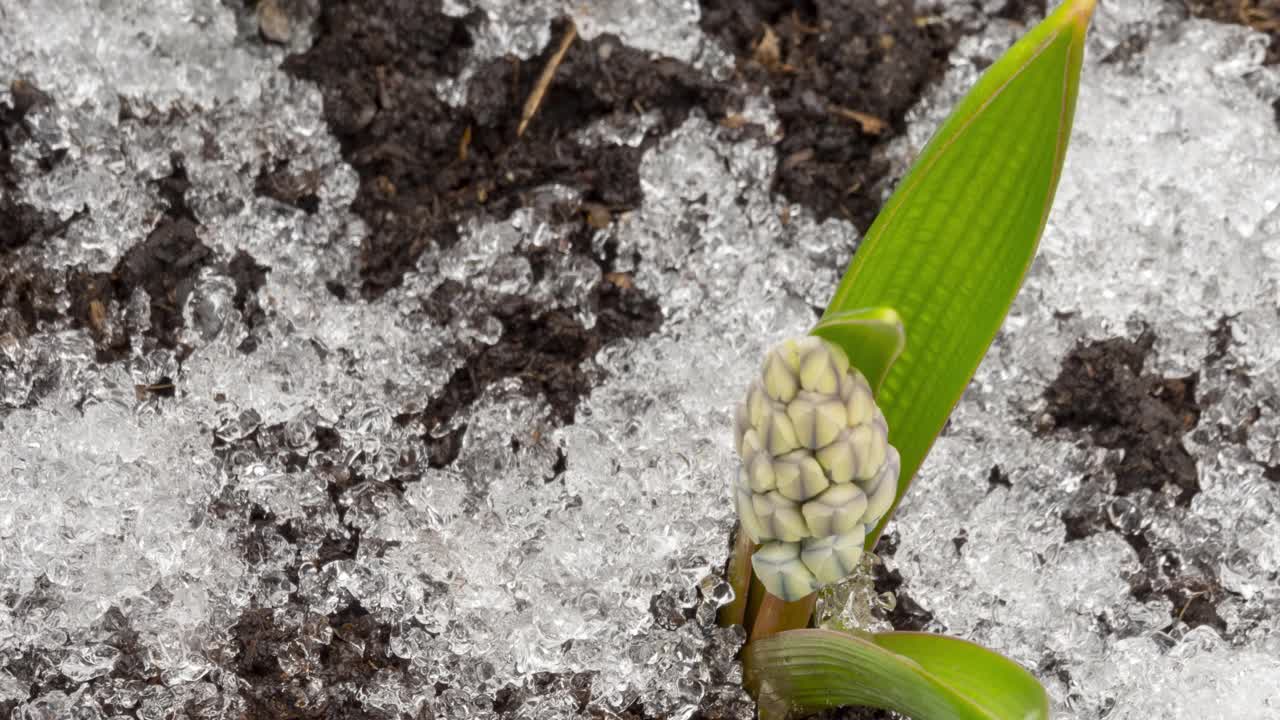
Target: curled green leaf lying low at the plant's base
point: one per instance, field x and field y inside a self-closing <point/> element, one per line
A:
<point x="920" y="676"/>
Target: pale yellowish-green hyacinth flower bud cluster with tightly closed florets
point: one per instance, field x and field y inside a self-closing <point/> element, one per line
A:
<point x="817" y="470"/>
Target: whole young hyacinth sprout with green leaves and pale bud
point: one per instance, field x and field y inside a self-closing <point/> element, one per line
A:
<point x="835" y="427"/>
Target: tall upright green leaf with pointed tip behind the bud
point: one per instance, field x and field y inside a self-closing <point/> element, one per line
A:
<point x="952" y="247"/>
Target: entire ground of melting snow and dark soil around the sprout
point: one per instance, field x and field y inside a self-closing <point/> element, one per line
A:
<point x="326" y="393"/>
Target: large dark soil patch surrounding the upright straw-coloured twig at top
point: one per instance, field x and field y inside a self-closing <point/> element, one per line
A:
<point x="426" y="166"/>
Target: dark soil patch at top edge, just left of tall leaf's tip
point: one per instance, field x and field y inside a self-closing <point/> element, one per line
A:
<point x="824" y="61"/>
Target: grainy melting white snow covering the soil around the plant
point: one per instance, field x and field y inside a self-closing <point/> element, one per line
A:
<point x="125" y="508"/>
